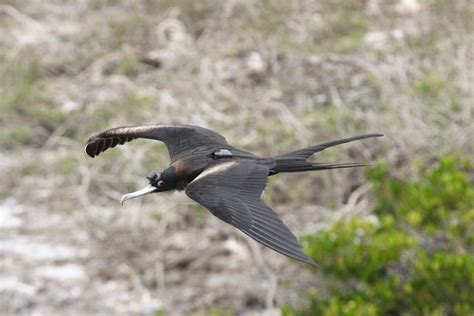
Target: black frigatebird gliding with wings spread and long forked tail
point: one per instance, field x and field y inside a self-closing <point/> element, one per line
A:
<point x="226" y="180"/>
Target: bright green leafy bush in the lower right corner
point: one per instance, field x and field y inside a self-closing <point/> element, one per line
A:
<point x="414" y="256"/>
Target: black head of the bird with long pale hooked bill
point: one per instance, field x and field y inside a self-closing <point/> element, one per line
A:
<point x="158" y="182"/>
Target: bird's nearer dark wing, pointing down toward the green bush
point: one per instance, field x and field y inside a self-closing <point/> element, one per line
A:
<point x="231" y="191"/>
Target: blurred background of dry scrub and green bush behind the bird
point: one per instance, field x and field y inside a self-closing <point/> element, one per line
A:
<point x="271" y="76"/>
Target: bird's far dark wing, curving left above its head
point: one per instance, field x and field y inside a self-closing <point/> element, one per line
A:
<point x="177" y="138"/>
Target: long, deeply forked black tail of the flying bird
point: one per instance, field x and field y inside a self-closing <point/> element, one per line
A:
<point x="296" y="161"/>
